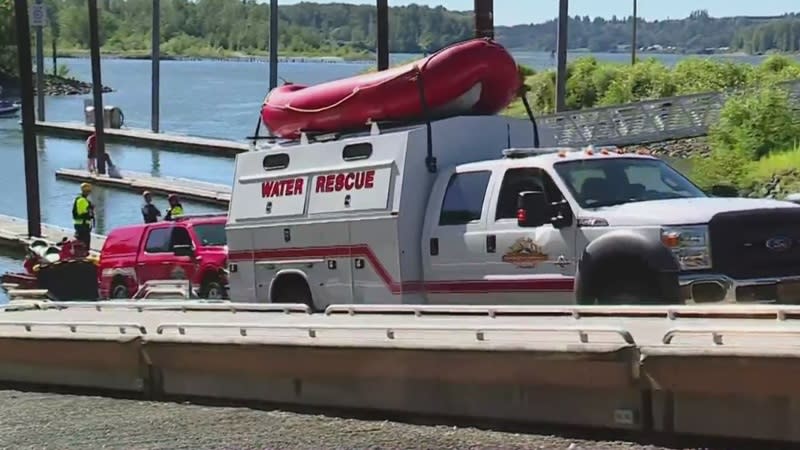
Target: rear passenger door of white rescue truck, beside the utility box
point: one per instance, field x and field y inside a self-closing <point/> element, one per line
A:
<point x="454" y="244"/>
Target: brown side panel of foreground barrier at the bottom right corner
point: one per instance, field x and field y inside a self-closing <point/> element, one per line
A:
<point x="735" y="393"/>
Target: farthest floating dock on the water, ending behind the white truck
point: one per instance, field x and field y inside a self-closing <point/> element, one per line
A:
<point x="144" y="138"/>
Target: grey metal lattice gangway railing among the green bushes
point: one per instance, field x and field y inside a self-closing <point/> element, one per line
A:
<point x="643" y="122"/>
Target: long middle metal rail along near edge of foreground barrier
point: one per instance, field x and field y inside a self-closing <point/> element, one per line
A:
<point x="391" y="331"/>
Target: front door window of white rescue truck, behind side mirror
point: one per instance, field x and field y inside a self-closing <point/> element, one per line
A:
<point x="521" y="180"/>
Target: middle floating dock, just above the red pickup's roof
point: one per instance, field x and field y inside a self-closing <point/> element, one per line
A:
<point x="138" y="182"/>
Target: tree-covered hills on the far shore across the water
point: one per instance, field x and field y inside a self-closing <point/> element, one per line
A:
<point x="209" y="28"/>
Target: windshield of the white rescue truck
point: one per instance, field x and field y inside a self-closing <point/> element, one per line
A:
<point x="614" y="181"/>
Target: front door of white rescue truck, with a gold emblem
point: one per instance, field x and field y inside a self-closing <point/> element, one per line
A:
<point x="528" y="265"/>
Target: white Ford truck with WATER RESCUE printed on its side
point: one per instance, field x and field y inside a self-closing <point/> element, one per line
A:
<point x="466" y="211"/>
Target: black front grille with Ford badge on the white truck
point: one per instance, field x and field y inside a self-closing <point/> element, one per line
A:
<point x="739" y="243"/>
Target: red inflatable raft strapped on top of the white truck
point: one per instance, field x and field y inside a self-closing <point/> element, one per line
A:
<point x="474" y="77"/>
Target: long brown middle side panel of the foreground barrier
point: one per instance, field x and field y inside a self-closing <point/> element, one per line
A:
<point x="585" y="387"/>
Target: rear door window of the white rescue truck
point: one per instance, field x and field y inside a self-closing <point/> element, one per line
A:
<point x="463" y="200"/>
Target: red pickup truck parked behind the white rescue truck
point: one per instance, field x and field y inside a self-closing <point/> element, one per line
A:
<point x="192" y="247"/>
